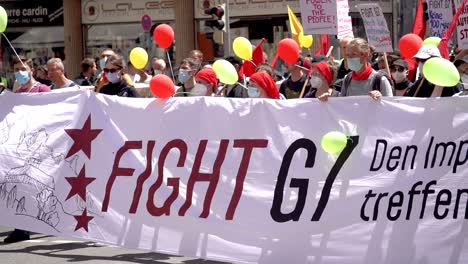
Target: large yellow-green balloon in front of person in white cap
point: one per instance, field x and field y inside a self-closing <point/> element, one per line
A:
<point x="441" y="72"/>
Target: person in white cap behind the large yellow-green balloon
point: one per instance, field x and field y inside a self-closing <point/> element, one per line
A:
<point x="422" y="87"/>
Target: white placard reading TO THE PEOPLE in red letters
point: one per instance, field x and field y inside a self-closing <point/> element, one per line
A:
<point x="319" y="17"/>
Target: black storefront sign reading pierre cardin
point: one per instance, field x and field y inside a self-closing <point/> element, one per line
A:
<point x="34" y="13"/>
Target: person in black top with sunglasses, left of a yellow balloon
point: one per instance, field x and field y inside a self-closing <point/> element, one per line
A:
<point x="114" y="71"/>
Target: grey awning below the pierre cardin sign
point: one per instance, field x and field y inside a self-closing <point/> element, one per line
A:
<point x="42" y="37"/>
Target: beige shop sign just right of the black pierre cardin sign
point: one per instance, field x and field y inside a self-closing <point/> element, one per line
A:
<point x="116" y="11"/>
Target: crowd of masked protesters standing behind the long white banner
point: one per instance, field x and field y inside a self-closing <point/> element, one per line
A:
<point x="360" y="72"/>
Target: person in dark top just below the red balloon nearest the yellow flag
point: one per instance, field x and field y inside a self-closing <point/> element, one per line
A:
<point x="297" y="80"/>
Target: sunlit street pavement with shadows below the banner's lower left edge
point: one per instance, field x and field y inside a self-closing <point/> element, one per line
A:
<point x="44" y="249"/>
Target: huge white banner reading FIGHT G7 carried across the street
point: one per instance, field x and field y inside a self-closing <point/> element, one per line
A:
<point x="241" y="180"/>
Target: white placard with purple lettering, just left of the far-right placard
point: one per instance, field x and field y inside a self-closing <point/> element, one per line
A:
<point x="440" y="16"/>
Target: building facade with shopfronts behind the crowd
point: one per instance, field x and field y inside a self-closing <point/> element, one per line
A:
<point x="89" y="26"/>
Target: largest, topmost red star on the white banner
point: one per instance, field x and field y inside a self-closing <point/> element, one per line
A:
<point x="82" y="138"/>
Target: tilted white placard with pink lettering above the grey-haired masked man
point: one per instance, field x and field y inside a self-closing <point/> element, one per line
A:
<point x="375" y="24"/>
